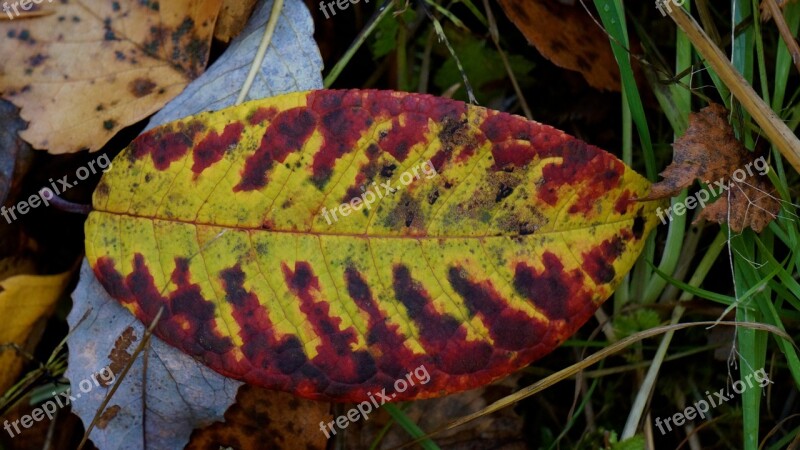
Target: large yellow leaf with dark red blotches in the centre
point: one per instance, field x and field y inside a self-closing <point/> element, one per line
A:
<point x="474" y="271"/>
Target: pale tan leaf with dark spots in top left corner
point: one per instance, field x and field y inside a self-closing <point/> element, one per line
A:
<point x="94" y="67"/>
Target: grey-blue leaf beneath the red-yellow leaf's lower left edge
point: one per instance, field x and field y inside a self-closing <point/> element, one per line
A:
<point x="181" y="393"/>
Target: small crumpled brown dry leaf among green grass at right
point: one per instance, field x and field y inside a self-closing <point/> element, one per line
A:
<point x="709" y="152"/>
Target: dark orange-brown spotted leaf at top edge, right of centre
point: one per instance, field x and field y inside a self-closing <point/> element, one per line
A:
<point x="567" y="36"/>
